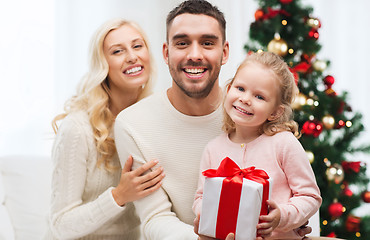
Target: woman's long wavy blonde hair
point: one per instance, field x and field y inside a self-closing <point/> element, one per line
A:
<point x="93" y="93"/>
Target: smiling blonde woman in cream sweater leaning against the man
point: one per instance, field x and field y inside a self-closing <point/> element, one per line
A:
<point x="91" y="194"/>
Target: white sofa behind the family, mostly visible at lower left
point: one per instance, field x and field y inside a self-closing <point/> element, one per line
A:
<point x="25" y="182"/>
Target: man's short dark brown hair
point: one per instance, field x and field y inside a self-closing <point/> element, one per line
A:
<point x="198" y="7"/>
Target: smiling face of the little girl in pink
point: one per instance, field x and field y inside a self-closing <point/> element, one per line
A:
<point x="253" y="97"/>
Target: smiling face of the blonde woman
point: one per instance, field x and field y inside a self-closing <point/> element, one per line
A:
<point x="128" y="59"/>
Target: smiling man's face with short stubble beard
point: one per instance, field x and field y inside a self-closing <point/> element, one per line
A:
<point x="194" y="53"/>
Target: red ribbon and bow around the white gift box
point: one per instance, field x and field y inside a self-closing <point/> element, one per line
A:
<point x="232" y="186"/>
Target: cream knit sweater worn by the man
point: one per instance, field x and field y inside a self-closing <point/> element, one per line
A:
<point x="153" y="128"/>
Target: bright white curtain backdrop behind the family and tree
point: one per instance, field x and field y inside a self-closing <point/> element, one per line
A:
<point x="44" y="45"/>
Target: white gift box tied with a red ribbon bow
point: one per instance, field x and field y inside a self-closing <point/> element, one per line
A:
<point x="233" y="200"/>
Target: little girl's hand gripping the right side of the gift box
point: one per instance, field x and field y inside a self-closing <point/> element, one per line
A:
<point x="268" y="222"/>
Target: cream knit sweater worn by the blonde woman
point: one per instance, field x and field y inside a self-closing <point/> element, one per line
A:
<point x="82" y="205"/>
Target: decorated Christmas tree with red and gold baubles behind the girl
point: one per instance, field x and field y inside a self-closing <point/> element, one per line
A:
<point x="327" y="122"/>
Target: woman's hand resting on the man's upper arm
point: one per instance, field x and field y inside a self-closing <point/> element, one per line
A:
<point x="135" y="184"/>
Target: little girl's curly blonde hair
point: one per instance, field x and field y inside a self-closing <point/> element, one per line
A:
<point x="288" y="91"/>
